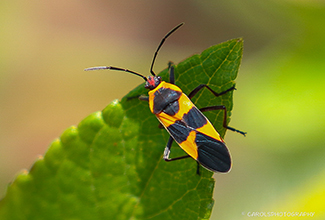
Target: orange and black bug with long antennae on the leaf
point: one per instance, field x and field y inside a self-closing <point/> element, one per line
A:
<point x="185" y="123"/>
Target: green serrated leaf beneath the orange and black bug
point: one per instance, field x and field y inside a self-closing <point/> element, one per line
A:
<point x="111" y="166"/>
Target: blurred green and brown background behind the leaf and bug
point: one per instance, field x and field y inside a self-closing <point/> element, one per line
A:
<point x="278" y="167"/>
